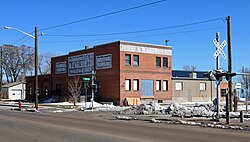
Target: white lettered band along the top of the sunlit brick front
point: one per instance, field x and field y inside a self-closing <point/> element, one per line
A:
<point x="143" y="49"/>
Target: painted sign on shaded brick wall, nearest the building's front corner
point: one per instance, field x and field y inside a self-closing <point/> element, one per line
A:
<point x="104" y="61"/>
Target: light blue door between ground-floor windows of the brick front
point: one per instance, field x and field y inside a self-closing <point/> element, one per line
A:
<point x="147" y="88"/>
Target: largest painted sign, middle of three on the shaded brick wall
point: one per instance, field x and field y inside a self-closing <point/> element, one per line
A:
<point x="81" y="64"/>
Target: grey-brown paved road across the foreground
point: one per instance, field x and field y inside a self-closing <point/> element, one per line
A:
<point x="102" y="127"/>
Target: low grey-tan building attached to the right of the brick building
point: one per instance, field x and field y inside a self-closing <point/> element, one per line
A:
<point x="192" y="86"/>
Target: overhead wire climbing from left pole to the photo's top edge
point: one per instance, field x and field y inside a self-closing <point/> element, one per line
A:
<point x="103" y="15"/>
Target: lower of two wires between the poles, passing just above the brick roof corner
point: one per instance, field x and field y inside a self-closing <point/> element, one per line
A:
<point x="181" y="32"/>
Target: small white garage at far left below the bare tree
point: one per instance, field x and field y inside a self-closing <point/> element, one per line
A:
<point x="14" y="91"/>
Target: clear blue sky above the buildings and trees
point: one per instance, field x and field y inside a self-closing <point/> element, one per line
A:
<point x="192" y="45"/>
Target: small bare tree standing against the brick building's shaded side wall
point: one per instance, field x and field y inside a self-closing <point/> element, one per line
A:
<point x="74" y="89"/>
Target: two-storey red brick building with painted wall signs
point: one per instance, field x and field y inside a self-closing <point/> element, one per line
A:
<point x="135" y="71"/>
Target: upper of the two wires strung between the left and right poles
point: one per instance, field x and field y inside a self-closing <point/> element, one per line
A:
<point x="140" y="31"/>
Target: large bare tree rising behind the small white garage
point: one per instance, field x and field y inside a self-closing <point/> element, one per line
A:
<point x="17" y="62"/>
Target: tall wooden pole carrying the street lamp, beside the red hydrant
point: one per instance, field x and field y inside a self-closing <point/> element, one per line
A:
<point x="36" y="68"/>
